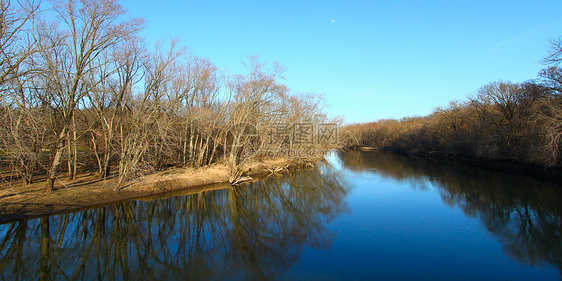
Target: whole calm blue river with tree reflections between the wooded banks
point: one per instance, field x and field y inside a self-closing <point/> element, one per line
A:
<point x="359" y="216"/>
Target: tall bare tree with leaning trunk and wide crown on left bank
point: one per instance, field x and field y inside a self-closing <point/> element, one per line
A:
<point x="90" y="28"/>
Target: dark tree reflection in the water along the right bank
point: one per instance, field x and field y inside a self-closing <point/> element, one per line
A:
<point x="524" y="214"/>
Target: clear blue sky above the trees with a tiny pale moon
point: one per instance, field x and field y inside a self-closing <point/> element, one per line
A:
<point x="371" y="59"/>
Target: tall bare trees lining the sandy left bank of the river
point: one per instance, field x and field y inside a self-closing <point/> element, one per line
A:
<point x="80" y="89"/>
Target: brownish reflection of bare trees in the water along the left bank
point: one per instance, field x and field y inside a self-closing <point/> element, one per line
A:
<point x="249" y="232"/>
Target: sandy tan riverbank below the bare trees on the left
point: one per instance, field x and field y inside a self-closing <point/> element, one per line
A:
<point x="20" y="201"/>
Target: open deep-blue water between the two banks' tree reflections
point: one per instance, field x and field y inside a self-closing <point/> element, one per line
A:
<point x="402" y="228"/>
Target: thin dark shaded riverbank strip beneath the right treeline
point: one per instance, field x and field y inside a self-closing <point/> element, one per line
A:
<point x="553" y="175"/>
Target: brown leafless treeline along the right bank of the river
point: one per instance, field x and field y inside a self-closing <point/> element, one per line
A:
<point x="519" y="122"/>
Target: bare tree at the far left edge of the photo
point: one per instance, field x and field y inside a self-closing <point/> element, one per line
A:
<point x="19" y="45"/>
